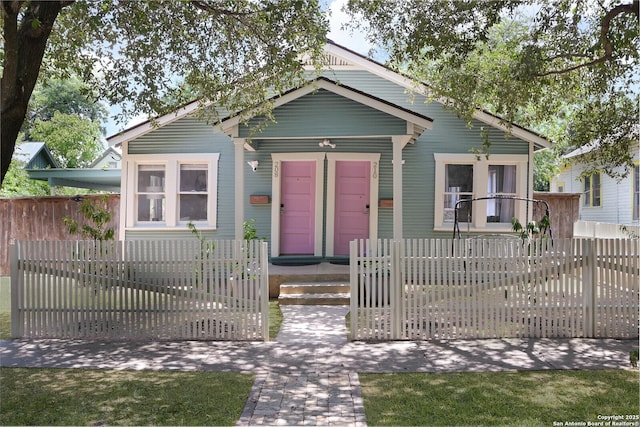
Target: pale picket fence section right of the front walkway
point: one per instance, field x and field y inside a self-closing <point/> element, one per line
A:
<point x="494" y="288"/>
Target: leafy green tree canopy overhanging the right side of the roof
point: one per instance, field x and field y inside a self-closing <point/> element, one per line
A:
<point x="568" y="68"/>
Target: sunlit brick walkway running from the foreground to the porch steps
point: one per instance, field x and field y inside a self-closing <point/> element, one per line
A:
<point x="306" y="396"/>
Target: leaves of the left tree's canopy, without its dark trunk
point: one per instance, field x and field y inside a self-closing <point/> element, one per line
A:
<point x="142" y="54"/>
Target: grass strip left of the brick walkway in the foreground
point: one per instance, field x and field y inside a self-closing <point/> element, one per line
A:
<point x="106" y="397"/>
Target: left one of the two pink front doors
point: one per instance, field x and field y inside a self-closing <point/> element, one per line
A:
<point x="297" y="207"/>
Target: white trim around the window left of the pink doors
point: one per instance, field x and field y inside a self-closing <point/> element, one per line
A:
<point x="172" y="164"/>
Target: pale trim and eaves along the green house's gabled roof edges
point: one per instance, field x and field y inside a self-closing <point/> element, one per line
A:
<point x="339" y="57"/>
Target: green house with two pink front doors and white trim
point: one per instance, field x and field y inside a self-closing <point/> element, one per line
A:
<point x="355" y="153"/>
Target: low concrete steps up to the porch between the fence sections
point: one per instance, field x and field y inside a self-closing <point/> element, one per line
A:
<point x="315" y="293"/>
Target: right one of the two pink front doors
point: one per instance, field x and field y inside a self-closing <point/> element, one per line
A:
<point x="352" y="203"/>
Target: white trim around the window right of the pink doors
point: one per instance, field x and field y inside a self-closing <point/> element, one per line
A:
<point x="480" y="175"/>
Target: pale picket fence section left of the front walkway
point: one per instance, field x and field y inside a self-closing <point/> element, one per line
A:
<point x="140" y="290"/>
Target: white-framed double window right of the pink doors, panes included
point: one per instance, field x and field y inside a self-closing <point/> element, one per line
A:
<point x="462" y="177"/>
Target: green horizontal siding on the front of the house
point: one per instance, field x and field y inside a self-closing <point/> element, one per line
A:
<point x="325" y="114"/>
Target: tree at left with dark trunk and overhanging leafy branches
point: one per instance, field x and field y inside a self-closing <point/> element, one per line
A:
<point x="142" y="54"/>
